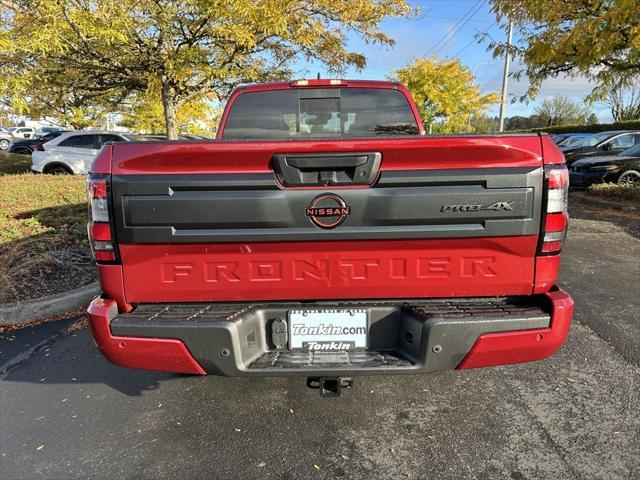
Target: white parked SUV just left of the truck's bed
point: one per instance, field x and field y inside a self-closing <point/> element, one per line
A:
<point x="72" y="152"/>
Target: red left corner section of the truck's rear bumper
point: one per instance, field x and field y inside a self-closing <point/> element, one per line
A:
<point x="147" y="353"/>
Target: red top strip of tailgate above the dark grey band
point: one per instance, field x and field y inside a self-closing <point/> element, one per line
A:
<point x="399" y="153"/>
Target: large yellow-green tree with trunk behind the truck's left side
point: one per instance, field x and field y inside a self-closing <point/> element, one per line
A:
<point x="189" y="48"/>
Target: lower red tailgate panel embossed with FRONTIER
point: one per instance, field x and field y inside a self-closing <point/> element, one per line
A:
<point x="326" y="270"/>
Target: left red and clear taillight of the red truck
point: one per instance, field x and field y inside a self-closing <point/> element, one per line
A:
<point x="99" y="228"/>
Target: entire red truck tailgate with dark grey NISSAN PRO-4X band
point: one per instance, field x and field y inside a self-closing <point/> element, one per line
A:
<point x="455" y="216"/>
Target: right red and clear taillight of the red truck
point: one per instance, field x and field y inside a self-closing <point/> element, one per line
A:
<point x="556" y="218"/>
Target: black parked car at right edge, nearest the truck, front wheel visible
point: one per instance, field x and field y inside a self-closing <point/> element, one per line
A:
<point x="621" y="168"/>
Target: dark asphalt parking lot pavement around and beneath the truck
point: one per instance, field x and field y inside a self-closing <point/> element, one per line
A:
<point x="67" y="413"/>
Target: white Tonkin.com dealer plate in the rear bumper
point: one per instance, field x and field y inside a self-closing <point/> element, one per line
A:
<point x="328" y="329"/>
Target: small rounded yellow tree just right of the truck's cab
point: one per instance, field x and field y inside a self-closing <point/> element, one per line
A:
<point x="445" y="94"/>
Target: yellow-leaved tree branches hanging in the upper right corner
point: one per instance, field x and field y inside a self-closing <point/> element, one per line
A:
<point x="599" y="39"/>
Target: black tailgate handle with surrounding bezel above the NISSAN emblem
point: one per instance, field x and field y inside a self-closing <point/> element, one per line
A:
<point x="324" y="169"/>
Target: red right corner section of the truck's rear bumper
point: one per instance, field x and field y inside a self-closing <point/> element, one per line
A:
<point x="524" y="346"/>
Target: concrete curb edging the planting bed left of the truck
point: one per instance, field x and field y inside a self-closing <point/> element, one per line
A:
<point x="29" y="310"/>
